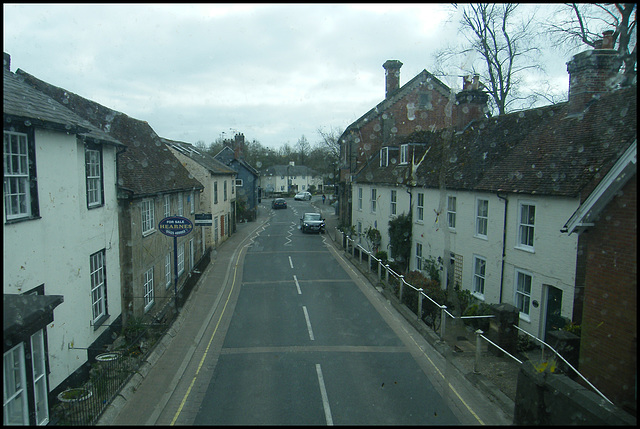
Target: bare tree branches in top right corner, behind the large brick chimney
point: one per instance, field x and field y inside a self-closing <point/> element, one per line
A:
<point x="583" y="24"/>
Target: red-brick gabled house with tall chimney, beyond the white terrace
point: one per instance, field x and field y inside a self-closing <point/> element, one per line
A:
<point x="424" y="103"/>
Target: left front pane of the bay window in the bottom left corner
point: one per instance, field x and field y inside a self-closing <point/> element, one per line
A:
<point x="15" y="409"/>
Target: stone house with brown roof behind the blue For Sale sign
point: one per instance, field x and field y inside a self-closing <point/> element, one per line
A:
<point x="151" y="184"/>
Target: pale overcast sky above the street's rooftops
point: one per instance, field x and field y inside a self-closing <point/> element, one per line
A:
<point x="194" y="72"/>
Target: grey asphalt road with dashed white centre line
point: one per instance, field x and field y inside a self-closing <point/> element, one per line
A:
<point x="302" y="339"/>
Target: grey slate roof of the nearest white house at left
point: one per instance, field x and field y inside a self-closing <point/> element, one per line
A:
<point x="24" y="105"/>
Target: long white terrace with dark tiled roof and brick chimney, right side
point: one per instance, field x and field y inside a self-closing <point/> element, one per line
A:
<point x="489" y="199"/>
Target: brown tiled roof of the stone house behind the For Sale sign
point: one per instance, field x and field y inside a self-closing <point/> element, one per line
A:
<point x="147" y="167"/>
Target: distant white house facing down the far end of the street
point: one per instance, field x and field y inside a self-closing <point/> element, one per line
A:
<point x="286" y="179"/>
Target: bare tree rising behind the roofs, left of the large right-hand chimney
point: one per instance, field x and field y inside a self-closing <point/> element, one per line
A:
<point x="504" y="38"/>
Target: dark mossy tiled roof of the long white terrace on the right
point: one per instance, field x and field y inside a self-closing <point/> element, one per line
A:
<point x="544" y="151"/>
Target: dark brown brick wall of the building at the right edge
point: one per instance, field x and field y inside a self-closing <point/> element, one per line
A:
<point x="608" y="355"/>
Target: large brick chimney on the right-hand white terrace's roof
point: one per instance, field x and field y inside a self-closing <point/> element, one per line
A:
<point x="592" y="73"/>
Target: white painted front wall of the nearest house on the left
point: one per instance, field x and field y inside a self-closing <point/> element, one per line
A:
<point x="55" y="249"/>
